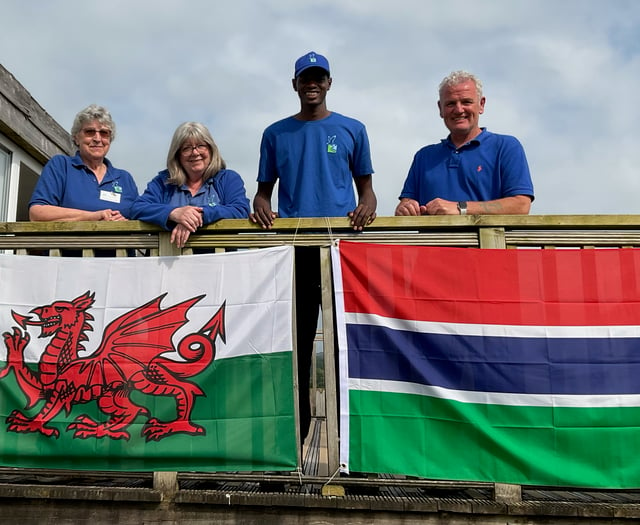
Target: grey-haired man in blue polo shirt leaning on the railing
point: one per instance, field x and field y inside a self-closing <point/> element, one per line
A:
<point x="472" y="171"/>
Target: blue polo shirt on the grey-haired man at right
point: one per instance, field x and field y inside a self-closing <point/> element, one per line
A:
<point x="489" y="167"/>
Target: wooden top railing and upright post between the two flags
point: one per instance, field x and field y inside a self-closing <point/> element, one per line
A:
<point x="512" y="232"/>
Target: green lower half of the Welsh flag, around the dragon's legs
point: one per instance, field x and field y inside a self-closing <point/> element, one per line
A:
<point x="247" y="412"/>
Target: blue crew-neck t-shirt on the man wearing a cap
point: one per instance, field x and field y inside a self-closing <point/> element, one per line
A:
<point x="315" y="162"/>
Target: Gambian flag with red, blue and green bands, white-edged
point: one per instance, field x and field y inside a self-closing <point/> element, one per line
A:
<point x="513" y="366"/>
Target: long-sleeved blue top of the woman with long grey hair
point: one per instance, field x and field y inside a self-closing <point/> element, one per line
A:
<point x="221" y="197"/>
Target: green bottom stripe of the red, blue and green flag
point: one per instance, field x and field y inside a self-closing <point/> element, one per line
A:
<point x="443" y="439"/>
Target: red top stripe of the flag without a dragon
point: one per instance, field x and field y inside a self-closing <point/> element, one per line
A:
<point x="591" y="287"/>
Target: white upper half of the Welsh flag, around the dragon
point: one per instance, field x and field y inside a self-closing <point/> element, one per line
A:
<point x="255" y="284"/>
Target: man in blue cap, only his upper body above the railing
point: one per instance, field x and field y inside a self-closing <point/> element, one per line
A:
<point x="315" y="155"/>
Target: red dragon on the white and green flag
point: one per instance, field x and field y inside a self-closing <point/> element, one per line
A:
<point x="130" y="358"/>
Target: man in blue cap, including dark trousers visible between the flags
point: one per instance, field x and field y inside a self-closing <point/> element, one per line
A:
<point x="316" y="155"/>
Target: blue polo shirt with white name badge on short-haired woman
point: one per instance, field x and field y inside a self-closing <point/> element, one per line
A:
<point x="67" y="182"/>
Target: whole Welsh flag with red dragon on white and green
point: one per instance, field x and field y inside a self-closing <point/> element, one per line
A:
<point x="148" y="363"/>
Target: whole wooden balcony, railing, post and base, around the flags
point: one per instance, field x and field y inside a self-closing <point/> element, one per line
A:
<point x="314" y="493"/>
